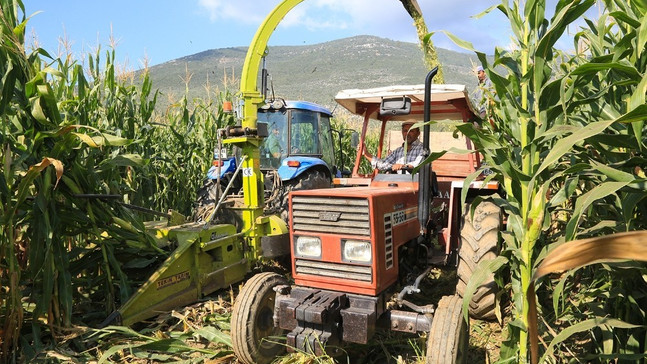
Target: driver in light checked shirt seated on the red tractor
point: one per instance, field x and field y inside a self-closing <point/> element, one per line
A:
<point x="399" y="159"/>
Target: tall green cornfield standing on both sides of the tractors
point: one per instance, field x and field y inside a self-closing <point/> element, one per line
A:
<point x="80" y="140"/>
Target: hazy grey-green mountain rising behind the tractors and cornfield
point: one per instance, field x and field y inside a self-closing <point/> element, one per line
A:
<point x="312" y="72"/>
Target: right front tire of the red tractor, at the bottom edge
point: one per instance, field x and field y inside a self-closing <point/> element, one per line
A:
<point x="448" y="339"/>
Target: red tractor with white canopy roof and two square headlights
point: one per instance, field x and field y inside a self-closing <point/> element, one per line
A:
<point x="358" y="251"/>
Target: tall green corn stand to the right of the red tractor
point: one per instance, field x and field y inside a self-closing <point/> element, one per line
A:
<point x="572" y="166"/>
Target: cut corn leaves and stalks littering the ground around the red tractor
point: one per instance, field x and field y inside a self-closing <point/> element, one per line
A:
<point x="199" y="333"/>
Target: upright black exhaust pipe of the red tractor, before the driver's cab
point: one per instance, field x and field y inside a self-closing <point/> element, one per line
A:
<point x="424" y="181"/>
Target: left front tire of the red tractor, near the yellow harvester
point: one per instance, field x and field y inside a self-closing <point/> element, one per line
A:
<point x="253" y="334"/>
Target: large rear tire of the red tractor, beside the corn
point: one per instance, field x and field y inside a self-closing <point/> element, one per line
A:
<point x="479" y="238"/>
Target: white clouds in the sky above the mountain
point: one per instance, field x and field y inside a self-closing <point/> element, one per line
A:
<point x="384" y="18"/>
